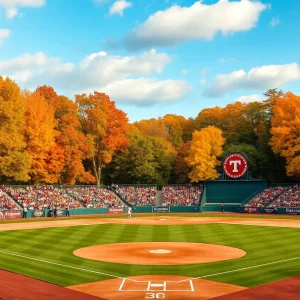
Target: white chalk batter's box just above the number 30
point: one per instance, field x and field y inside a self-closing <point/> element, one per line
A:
<point x="153" y="286"/>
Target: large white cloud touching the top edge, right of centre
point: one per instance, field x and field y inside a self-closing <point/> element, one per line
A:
<point x="199" y="21"/>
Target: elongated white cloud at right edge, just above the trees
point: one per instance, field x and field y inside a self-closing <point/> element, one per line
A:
<point x="264" y="77"/>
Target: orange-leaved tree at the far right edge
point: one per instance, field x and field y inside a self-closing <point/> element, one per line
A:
<point x="285" y="132"/>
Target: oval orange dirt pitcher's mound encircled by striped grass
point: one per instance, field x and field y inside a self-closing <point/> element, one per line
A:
<point x="160" y="253"/>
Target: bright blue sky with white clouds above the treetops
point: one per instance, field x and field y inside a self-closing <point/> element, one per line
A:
<point x="153" y="57"/>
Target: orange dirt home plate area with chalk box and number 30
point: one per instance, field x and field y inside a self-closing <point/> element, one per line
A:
<point x="157" y="287"/>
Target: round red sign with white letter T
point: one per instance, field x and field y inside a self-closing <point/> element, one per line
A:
<point x="235" y="165"/>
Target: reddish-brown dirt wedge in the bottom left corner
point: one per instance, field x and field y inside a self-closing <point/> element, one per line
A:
<point x="14" y="286"/>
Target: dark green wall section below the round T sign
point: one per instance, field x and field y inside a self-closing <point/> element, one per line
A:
<point x="230" y="193"/>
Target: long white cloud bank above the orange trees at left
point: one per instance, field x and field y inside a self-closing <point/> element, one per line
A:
<point x="119" y="76"/>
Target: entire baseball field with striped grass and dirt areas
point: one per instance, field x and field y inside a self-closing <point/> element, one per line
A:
<point x="200" y="256"/>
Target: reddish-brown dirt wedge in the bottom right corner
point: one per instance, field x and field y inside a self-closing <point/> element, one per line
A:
<point x="280" y="290"/>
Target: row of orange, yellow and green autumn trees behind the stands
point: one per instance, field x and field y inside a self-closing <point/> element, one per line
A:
<point x="46" y="138"/>
